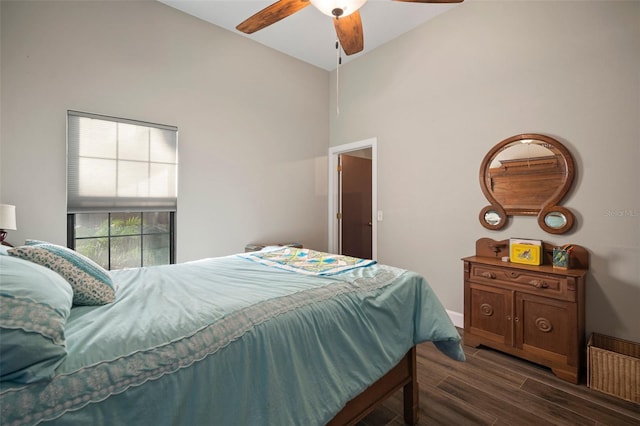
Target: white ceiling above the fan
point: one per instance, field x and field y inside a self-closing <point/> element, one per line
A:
<point x="309" y="35"/>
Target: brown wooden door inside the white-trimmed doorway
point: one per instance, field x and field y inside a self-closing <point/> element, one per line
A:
<point x="354" y="174"/>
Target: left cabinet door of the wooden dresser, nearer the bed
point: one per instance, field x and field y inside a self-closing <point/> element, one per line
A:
<point x="491" y="310"/>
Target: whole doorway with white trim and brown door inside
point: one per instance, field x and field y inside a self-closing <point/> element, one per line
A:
<point x="353" y="224"/>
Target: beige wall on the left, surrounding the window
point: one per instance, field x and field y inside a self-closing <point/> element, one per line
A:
<point x="253" y="123"/>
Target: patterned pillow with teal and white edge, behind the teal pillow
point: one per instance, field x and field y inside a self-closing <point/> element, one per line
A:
<point x="92" y="284"/>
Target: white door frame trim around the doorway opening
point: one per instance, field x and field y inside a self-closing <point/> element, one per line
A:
<point x="334" y="192"/>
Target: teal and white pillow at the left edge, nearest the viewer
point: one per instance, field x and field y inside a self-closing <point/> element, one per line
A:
<point x="36" y="303"/>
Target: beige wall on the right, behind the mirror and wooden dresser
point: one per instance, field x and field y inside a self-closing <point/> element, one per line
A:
<point x="441" y="96"/>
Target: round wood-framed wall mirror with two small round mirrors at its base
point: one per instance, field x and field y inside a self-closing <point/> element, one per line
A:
<point x="527" y="175"/>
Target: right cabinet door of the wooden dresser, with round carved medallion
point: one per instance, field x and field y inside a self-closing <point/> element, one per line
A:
<point x="545" y="327"/>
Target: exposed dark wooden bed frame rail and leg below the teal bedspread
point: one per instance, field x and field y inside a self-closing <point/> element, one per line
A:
<point x="402" y="375"/>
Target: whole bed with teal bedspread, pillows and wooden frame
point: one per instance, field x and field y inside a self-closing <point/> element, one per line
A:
<point x="284" y="336"/>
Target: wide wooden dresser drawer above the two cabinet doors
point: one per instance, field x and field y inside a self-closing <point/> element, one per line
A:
<point x="520" y="279"/>
